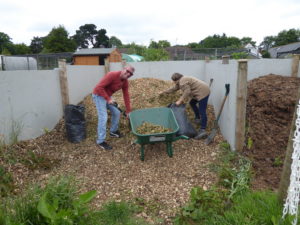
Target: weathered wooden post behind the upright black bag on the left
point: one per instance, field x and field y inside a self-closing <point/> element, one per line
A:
<point x="63" y="82"/>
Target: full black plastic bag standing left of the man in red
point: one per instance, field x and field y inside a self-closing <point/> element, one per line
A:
<point x="75" y="123"/>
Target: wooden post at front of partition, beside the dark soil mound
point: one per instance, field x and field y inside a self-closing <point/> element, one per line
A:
<point x="241" y="103"/>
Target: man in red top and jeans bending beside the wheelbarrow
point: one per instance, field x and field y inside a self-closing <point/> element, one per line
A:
<point x="102" y="96"/>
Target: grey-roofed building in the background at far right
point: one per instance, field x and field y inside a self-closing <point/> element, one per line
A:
<point x="284" y="51"/>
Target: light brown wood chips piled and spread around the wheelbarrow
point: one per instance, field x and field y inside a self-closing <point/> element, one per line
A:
<point x="120" y="174"/>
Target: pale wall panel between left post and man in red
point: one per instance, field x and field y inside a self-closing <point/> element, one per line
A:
<point x="82" y="80"/>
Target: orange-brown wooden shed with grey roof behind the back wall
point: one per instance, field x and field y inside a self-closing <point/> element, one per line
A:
<point x="96" y="56"/>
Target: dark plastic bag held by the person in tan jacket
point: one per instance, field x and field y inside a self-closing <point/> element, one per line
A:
<point x="185" y="127"/>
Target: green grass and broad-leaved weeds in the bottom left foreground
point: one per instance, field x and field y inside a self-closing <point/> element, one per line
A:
<point x="58" y="203"/>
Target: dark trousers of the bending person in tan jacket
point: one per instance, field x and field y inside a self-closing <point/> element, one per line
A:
<point x="200" y="110"/>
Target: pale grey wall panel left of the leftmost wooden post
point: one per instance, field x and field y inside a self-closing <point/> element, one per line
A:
<point x="30" y="100"/>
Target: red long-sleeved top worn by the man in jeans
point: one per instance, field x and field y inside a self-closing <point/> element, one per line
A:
<point x="109" y="84"/>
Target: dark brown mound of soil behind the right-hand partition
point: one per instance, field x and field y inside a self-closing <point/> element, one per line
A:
<point x="270" y="106"/>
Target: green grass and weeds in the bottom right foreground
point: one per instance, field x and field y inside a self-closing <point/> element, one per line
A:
<point x="231" y="202"/>
